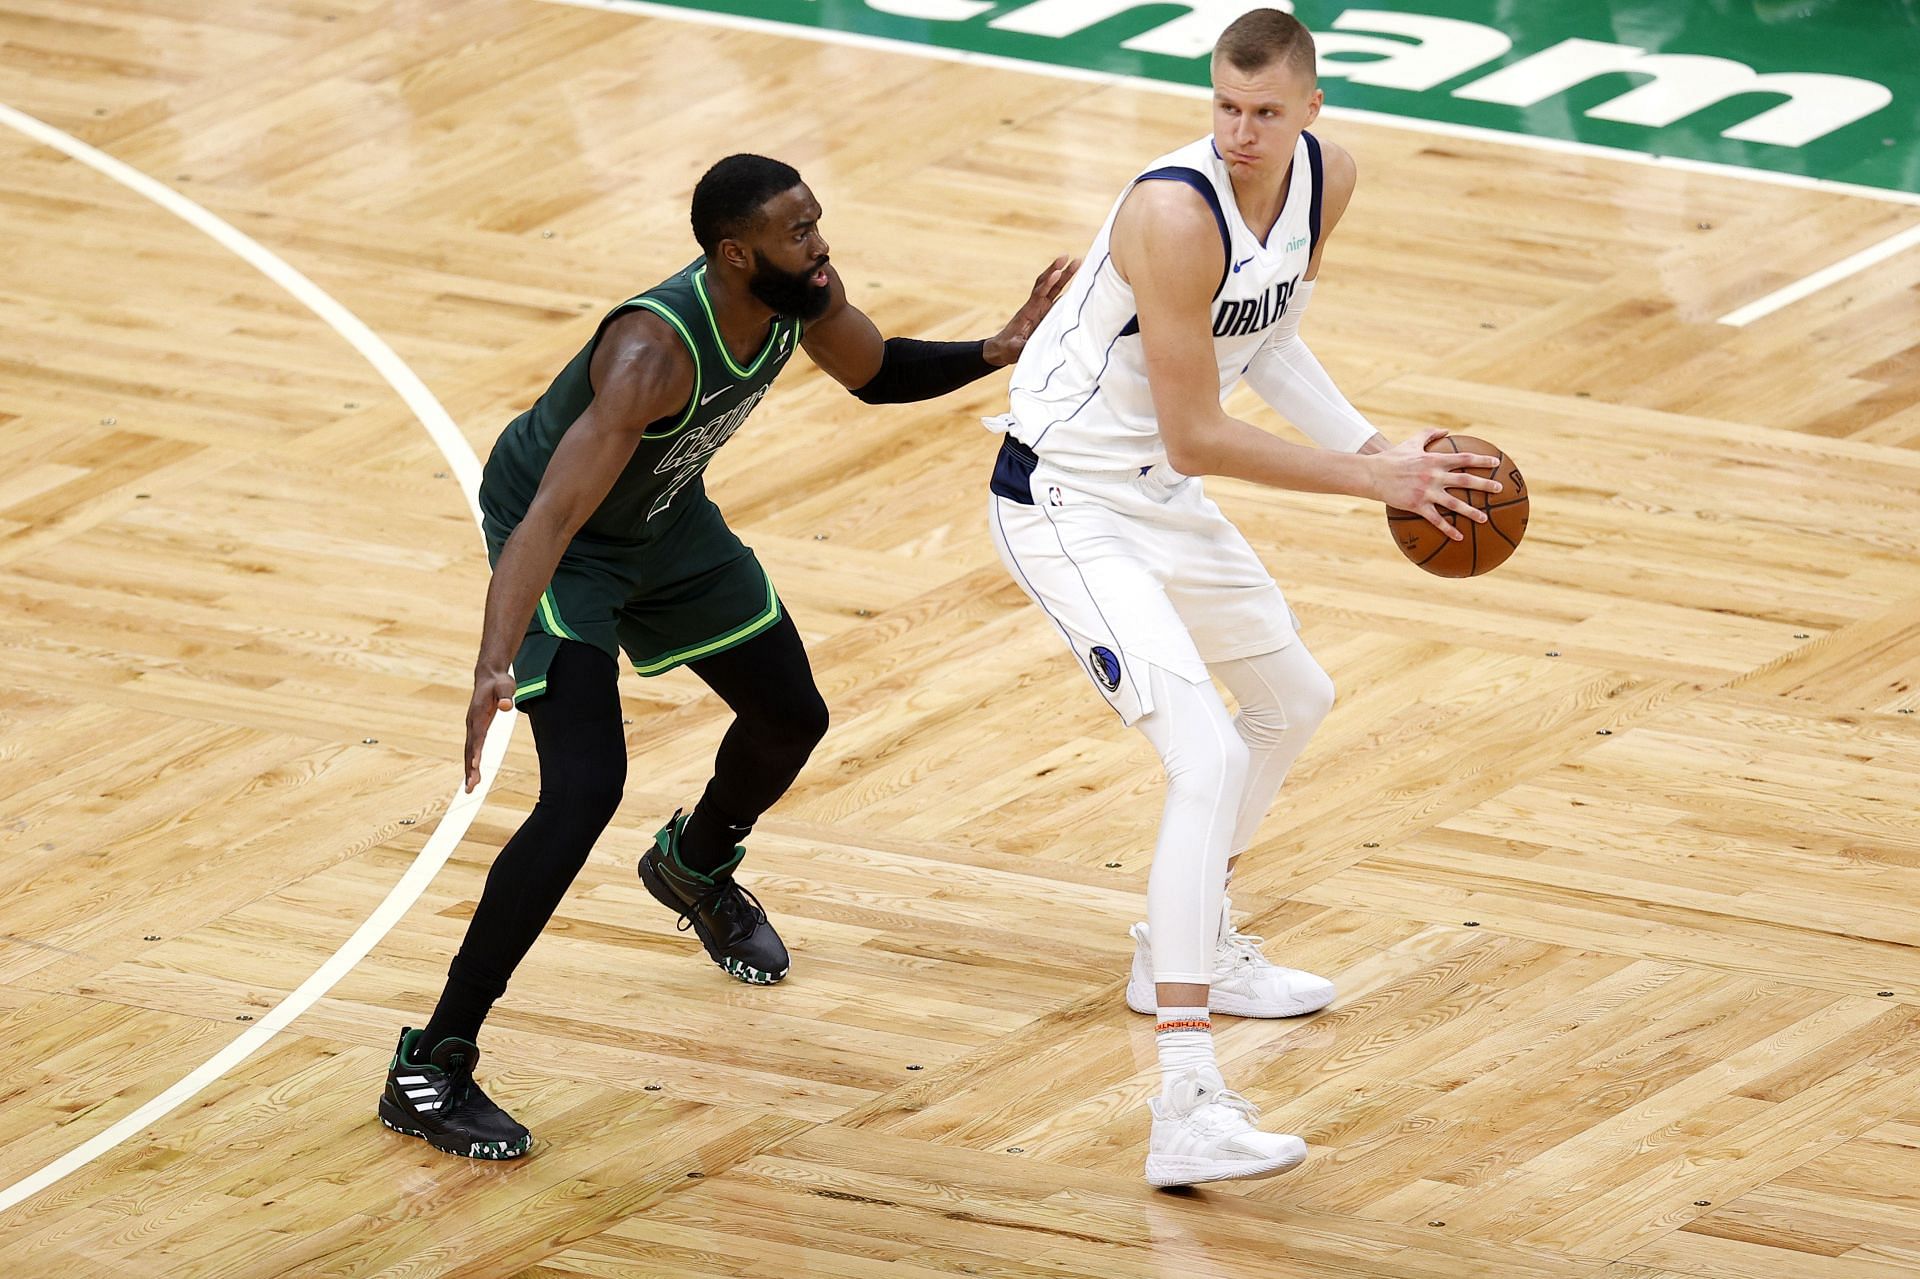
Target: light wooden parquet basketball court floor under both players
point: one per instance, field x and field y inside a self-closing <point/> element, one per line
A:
<point x="1614" y="854"/>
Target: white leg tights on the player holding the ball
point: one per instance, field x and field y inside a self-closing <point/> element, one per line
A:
<point x="1222" y="779"/>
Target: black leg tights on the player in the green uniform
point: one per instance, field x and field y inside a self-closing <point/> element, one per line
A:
<point x="779" y="719"/>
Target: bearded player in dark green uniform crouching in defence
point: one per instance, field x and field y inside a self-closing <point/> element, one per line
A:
<point x="604" y="541"/>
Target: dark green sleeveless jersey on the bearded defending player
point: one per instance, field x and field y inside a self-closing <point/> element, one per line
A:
<point x="663" y="477"/>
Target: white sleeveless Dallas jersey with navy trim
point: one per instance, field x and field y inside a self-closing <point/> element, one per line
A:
<point x="1080" y="393"/>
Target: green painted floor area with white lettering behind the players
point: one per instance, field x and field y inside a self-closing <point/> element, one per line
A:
<point x="1825" y="89"/>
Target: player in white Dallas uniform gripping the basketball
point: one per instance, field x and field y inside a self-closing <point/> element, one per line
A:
<point x="1197" y="281"/>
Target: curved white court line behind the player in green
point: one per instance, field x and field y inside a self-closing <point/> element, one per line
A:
<point x="460" y="811"/>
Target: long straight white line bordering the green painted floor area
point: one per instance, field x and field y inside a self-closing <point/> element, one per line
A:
<point x="1414" y="124"/>
